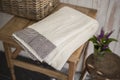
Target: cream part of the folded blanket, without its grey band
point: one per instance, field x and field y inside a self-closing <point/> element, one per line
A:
<point x="67" y="29"/>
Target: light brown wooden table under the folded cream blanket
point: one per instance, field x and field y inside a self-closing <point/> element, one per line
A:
<point x="18" y="23"/>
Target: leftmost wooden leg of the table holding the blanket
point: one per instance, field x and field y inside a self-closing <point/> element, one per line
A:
<point x="8" y="54"/>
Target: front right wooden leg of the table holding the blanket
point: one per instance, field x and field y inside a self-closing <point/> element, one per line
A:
<point x="71" y="71"/>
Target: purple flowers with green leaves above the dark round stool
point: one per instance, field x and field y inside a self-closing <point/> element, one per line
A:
<point x="102" y="41"/>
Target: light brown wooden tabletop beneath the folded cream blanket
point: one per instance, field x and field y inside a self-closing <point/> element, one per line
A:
<point x="18" y="23"/>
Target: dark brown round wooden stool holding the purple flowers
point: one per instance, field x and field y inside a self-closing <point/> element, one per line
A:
<point x="106" y="67"/>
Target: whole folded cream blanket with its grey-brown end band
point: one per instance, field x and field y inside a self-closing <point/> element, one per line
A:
<point x="56" y="37"/>
